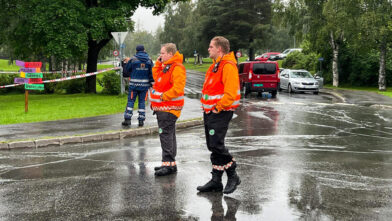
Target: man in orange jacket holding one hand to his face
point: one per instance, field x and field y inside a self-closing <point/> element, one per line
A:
<point x="167" y="100"/>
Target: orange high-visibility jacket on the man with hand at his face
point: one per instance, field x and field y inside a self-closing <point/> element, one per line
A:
<point x="168" y="90"/>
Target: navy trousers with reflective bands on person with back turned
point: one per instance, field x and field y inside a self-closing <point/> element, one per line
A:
<point x="131" y="101"/>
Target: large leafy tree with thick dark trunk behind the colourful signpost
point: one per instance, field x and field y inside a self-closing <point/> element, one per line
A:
<point x="67" y="28"/>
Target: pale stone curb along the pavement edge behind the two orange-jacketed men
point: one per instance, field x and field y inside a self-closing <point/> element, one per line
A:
<point x="87" y="138"/>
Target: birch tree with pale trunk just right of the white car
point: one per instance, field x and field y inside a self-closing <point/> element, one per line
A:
<point x="332" y="21"/>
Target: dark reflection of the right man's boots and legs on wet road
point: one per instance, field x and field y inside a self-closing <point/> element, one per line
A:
<point x="218" y="212"/>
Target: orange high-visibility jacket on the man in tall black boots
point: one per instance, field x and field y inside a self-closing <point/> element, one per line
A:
<point x="221" y="89"/>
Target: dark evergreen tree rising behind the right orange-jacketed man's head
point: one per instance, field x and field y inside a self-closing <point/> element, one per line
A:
<point x="242" y="22"/>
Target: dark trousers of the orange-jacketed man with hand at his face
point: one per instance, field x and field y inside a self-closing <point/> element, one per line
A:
<point x="167" y="135"/>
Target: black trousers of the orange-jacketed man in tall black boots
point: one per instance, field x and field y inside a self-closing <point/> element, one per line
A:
<point x="216" y="126"/>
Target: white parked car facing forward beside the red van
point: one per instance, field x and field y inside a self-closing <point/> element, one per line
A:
<point x="298" y="81"/>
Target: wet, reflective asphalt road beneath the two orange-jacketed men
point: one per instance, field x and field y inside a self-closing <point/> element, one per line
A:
<point x="301" y="157"/>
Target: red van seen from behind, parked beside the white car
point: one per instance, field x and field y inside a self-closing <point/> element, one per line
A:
<point x="259" y="76"/>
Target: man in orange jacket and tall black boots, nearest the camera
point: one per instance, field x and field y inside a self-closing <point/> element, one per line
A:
<point x="220" y="97"/>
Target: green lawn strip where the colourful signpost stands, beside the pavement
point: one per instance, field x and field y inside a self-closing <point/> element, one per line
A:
<point x="57" y="107"/>
